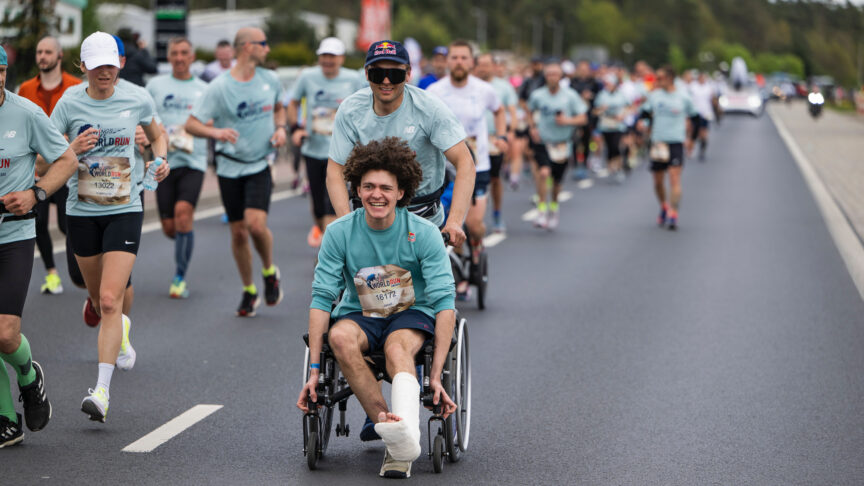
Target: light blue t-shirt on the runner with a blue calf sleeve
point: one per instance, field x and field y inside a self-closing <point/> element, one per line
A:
<point x="175" y="100"/>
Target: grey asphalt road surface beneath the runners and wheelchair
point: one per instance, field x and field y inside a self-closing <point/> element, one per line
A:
<point x="611" y="352"/>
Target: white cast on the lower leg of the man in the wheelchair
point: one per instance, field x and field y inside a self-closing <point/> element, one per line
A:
<point x="403" y="438"/>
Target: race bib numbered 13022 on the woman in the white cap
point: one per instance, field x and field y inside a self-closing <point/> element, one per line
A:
<point x="105" y="181"/>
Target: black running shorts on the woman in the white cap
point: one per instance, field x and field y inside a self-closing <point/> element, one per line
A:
<point x="94" y="235"/>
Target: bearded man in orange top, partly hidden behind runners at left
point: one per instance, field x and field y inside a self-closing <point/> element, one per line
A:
<point x="44" y="90"/>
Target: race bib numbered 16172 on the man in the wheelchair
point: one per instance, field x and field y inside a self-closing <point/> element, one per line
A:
<point x="384" y="290"/>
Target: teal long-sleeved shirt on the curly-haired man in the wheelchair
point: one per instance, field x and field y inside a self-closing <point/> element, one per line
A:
<point x="383" y="263"/>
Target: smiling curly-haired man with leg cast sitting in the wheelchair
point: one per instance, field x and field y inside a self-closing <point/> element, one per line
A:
<point x="398" y="293"/>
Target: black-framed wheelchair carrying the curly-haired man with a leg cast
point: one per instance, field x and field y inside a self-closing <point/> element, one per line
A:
<point x="450" y="438"/>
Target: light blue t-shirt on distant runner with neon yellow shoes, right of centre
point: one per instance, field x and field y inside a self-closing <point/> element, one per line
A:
<point x="547" y="105"/>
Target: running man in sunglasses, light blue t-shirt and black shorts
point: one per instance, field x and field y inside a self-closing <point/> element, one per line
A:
<point x="248" y="125"/>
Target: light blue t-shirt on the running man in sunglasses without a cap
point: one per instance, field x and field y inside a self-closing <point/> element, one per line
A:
<point x="247" y="107"/>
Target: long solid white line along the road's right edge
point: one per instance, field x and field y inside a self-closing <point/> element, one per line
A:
<point x="841" y="230"/>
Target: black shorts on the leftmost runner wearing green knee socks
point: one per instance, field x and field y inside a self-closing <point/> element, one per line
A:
<point x="16" y="266"/>
